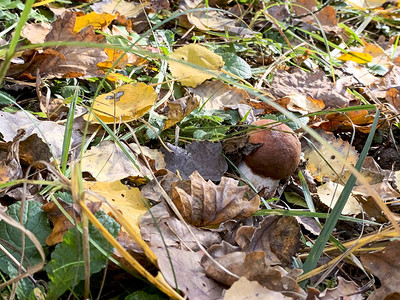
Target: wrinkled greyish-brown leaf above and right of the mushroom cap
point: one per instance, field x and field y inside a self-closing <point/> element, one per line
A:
<point x="316" y="85"/>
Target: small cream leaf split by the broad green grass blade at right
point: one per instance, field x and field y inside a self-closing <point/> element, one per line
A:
<point x="329" y="194"/>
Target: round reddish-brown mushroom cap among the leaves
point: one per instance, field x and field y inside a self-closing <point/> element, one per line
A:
<point x="279" y="155"/>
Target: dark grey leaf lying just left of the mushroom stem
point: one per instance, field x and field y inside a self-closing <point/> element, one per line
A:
<point x="202" y="156"/>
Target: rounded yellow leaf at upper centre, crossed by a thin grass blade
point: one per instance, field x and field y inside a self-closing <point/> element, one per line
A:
<point x="196" y="55"/>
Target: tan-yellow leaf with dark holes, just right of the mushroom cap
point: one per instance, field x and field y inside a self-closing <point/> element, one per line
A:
<point x="325" y="166"/>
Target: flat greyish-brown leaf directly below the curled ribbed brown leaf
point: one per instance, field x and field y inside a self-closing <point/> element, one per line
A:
<point x="175" y="233"/>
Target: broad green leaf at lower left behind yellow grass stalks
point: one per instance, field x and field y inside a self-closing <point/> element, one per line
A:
<point x="66" y="267"/>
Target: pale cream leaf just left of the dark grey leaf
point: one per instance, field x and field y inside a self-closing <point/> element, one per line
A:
<point x="107" y="162"/>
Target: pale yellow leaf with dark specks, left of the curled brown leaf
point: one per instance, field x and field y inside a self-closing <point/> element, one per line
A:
<point x="127" y="200"/>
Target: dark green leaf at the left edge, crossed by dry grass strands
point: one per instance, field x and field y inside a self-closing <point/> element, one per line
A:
<point x="34" y="220"/>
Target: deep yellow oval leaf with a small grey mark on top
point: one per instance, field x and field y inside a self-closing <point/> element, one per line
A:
<point x="126" y="103"/>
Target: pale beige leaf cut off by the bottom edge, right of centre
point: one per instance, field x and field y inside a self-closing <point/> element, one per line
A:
<point x="243" y="289"/>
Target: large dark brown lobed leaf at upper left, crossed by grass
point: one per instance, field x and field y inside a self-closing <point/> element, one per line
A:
<point x="63" y="61"/>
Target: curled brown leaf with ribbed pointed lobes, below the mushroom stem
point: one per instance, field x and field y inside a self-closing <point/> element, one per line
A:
<point x="203" y="203"/>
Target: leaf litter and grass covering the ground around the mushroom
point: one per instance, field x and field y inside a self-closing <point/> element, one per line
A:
<point x="186" y="105"/>
